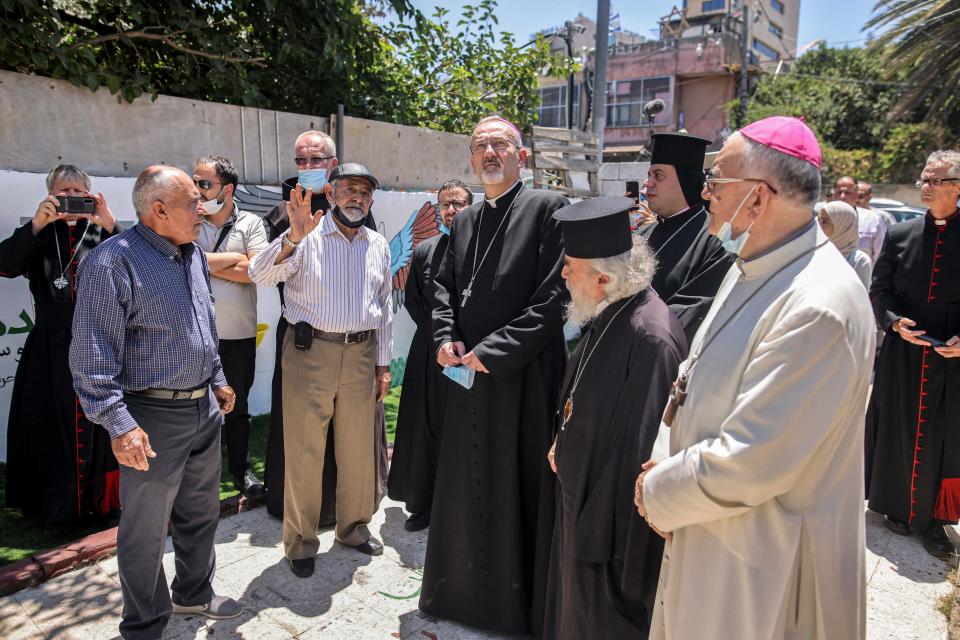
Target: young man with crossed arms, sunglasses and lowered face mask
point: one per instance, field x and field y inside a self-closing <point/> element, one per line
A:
<point x="231" y="238"/>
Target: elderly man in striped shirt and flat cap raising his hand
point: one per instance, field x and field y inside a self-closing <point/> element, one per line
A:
<point x="336" y="275"/>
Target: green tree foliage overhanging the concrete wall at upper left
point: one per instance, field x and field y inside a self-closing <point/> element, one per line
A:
<point x="301" y="56"/>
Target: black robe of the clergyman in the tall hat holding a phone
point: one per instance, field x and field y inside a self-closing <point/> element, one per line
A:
<point x="691" y="265"/>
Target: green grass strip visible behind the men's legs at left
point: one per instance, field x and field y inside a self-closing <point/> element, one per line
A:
<point x="22" y="536"/>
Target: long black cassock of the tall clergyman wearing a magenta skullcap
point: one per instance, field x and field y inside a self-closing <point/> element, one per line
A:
<point x="492" y="516"/>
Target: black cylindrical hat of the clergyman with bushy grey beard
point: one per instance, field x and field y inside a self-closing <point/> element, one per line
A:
<point x="596" y="227"/>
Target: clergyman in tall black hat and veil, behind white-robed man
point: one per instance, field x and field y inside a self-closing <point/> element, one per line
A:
<point x="691" y="262"/>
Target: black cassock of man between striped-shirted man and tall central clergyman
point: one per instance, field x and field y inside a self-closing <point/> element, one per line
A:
<point x="413" y="469"/>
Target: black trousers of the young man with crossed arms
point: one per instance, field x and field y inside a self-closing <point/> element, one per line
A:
<point x="239" y="359"/>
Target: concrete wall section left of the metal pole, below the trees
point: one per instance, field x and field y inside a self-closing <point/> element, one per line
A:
<point x="46" y="122"/>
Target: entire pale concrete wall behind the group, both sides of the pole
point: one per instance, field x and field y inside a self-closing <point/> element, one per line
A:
<point x="45" y="122"/>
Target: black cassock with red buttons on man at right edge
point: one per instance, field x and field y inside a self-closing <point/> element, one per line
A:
<point x="912" y="439"/>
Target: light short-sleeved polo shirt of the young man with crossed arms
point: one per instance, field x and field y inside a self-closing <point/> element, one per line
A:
<point x="235" y="302"/>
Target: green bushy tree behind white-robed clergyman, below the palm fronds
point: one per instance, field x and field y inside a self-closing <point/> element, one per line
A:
<point x="847" y="96"/>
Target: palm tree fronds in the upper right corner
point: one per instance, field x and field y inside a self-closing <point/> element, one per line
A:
<point x="921" y="43"/>
